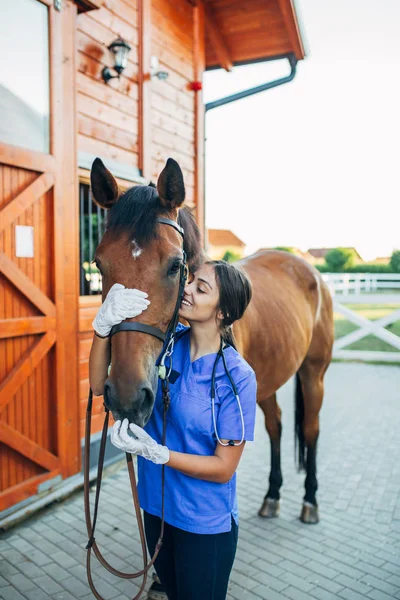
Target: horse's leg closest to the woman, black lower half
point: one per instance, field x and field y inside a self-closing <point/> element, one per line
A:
<point x="272" y="413"/>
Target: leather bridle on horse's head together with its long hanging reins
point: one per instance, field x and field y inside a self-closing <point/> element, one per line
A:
<point x="168" y="339"/>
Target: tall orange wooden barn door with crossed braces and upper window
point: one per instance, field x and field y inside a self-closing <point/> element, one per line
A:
<point x="38" y="247"/>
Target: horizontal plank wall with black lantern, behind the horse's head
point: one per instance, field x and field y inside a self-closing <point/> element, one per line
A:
<point x="109" y="116"/>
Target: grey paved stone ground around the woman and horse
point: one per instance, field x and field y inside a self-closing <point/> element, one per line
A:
<point x="354" y="552"/>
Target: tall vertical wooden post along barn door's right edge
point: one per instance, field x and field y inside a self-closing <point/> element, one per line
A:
<point x="66" y="236"/>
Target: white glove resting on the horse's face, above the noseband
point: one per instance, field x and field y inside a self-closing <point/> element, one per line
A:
<point x="120" y="304"/>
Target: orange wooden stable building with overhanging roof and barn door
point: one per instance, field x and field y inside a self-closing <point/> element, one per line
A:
<point x="56" y="115"/>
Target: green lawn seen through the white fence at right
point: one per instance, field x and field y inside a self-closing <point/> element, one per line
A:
<point x="372" y="312"/>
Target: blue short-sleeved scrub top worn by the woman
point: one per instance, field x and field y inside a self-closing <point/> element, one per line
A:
<point x="193" y="504"/>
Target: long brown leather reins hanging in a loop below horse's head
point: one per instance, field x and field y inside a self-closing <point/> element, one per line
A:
<point x="91" y="525"/>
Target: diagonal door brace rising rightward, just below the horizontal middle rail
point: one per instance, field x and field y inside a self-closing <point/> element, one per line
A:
<point x="24" y="368"/>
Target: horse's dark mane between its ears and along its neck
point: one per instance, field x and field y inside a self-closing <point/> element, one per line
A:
<point x="136" y="213"/>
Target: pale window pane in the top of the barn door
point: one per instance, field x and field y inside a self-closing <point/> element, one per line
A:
<point x="24" y="74"/>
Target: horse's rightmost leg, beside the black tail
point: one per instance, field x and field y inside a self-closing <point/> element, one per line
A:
<point x="309" y="396"/>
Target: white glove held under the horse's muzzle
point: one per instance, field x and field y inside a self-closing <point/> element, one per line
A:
<point x="142" y="444"/>
